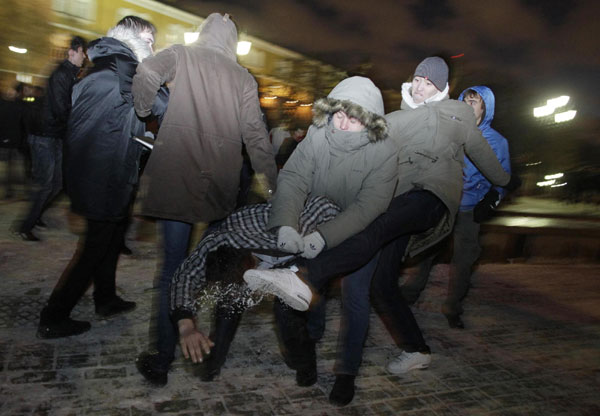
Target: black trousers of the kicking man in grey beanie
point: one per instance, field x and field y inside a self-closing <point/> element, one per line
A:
<point x="409" y="213"/>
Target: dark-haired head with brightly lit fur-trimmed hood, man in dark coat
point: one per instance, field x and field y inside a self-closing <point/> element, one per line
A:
<point x="136" y="33"/>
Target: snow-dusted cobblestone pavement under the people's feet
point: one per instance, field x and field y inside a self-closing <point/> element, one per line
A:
<point x="531" y="347"/>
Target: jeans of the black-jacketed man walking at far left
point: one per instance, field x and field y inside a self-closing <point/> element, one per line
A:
<point x="46" y="159"/>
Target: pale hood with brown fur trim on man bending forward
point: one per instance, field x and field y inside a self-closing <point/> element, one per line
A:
<point x="358" y="97"/>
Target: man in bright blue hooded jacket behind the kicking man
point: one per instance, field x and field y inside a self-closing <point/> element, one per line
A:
<point x="478" y="202"/>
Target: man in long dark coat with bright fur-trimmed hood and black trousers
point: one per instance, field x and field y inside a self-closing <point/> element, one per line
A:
<point x="101" y="173"/>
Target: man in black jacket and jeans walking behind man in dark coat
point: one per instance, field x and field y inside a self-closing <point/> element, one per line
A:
<point x="46" y="142"/>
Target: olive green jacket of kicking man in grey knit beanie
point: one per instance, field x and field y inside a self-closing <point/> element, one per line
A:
<point x="432" y="142"/>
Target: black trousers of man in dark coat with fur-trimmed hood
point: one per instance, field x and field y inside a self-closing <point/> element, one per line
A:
<point x="94" y="261"/>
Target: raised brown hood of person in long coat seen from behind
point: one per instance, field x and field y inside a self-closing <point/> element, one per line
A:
<point x="219" y="32"/>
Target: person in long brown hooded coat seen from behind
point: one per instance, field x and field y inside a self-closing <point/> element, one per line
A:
<point x="197" y="159"/>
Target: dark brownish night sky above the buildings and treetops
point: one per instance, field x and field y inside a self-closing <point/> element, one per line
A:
<point x="552" y="44"/>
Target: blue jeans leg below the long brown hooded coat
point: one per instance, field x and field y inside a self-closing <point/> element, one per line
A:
<point x="176" y="236"/>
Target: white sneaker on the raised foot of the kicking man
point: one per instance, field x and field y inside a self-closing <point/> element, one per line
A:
<point x="283" y="283"/>
